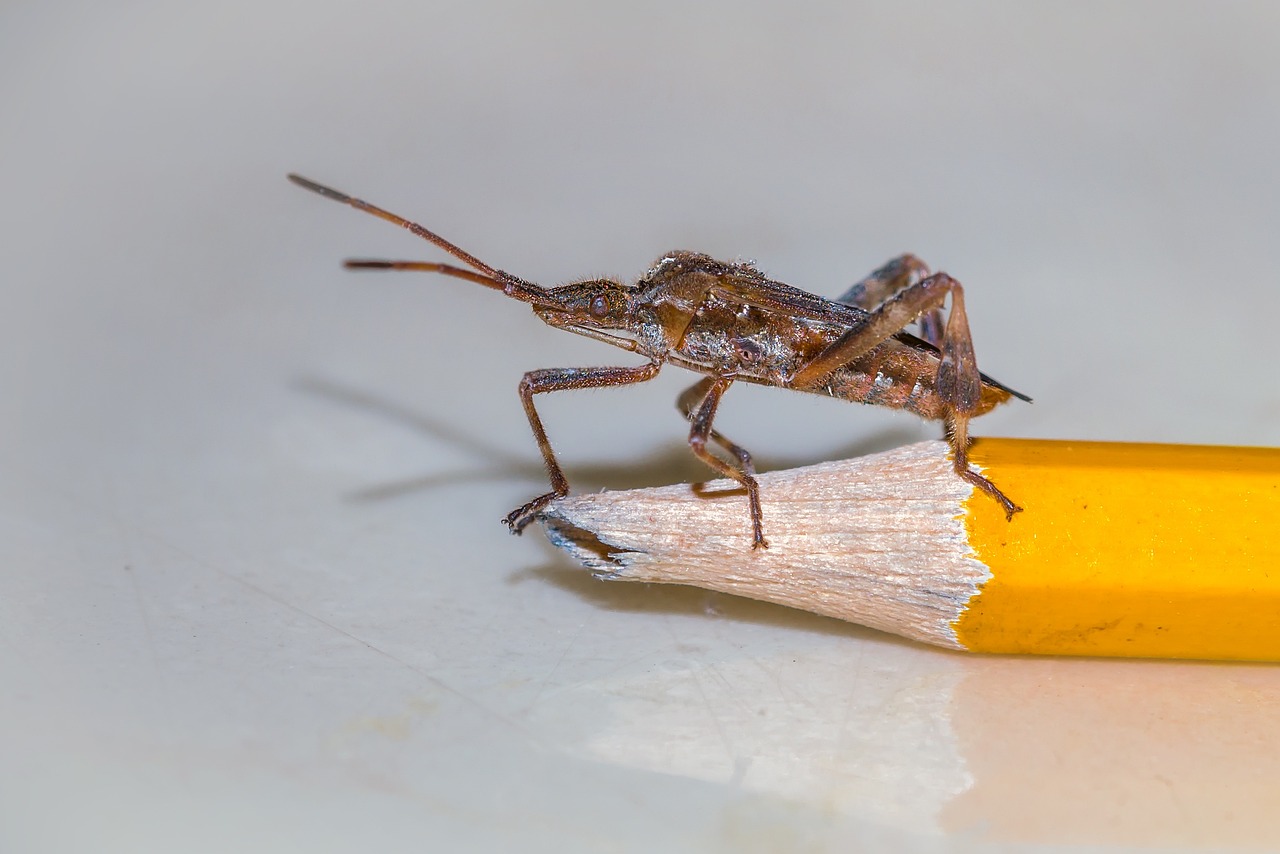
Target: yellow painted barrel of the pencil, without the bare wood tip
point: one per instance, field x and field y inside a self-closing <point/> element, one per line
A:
<point x="1127" y="550"/>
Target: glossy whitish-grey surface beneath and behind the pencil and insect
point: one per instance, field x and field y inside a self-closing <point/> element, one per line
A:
<point x="254" y="592"/>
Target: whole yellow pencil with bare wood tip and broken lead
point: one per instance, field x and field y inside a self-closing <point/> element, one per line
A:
<point x="1122" y="550"/>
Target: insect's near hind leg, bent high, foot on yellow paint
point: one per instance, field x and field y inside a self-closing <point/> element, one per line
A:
<point x="958" y="383"/>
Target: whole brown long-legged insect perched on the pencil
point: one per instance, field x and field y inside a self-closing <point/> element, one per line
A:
<point x="730" y="323"/>
